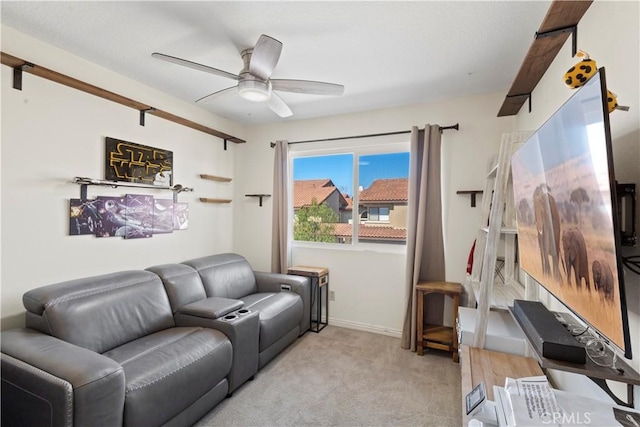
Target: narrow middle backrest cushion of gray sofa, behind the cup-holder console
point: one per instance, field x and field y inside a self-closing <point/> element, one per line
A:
<point x="183" y="284"/>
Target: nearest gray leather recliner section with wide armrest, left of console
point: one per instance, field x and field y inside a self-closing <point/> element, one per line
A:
<point x="105" y="350"/>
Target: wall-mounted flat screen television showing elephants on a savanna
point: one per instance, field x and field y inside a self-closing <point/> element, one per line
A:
<point x="566" y="210"/>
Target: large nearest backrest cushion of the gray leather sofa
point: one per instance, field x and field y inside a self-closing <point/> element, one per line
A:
<point x="101" y="312"/>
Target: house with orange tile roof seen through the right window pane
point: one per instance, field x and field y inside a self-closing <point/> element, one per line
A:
<point x="384" y="203"/>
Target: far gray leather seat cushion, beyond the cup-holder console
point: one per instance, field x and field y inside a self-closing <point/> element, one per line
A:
<point x="279" y="312"/>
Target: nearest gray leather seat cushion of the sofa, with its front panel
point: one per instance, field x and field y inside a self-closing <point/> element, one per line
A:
<point x="167" y="371"/>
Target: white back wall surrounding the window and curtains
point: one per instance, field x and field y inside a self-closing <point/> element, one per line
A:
<point x="369" y="286"/>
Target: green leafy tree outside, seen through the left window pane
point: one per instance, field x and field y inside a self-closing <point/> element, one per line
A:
<point x="315" y="223"/>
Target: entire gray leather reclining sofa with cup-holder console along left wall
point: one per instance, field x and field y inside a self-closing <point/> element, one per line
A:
<point x="147" y="348"/>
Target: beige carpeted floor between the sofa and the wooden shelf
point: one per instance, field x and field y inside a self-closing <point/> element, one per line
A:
<point x="344" y="377"/>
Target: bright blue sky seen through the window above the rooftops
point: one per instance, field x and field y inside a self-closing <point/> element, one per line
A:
<point x="339" y="167"/>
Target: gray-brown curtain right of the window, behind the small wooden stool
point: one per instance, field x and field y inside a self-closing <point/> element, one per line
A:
<point x="425" y="247"/>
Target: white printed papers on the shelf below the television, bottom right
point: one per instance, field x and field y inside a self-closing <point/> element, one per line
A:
<point x="531" y="401"/>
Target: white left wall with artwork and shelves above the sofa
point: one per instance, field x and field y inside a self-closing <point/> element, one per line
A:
<point x="51" y="133"/>
